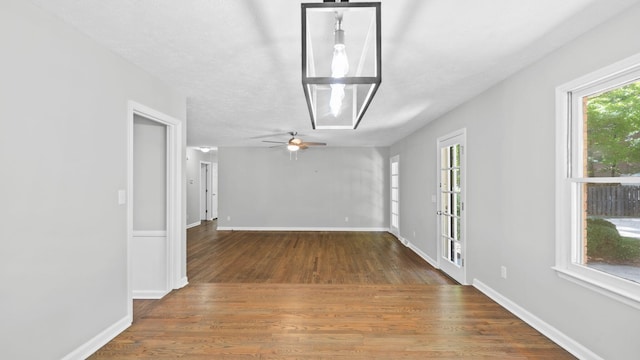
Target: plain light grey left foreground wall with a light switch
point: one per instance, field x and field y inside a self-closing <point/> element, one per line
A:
<point x="63" y="152"/>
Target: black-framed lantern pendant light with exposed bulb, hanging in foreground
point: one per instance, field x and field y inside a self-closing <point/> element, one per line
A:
<point x="341" y="61"/>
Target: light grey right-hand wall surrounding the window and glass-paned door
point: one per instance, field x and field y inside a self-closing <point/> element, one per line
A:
<point x="510" y="198"/>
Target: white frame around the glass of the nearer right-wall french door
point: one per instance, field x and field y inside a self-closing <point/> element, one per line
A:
<point x="458" y="136"/>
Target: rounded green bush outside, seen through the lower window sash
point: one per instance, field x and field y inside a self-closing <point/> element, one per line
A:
<point x="605" y="243"/>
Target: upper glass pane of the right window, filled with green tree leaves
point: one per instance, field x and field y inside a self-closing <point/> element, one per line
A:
<point x="611" y="137"/>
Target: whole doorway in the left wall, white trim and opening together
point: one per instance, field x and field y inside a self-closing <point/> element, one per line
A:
<point x="161" y="249"/>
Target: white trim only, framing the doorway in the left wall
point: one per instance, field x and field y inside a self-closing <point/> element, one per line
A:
<point x="176" y="257"/>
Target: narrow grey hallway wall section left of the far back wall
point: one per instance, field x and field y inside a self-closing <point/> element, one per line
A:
<point x="194" y="157"/>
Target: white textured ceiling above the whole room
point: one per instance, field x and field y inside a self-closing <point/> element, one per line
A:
<point x="238" y="61"/>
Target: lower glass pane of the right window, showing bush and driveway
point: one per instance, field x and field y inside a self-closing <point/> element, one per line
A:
<point x="611" y="229"/>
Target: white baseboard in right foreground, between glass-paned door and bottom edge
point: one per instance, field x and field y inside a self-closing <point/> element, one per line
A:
<point x="560" y="338"/>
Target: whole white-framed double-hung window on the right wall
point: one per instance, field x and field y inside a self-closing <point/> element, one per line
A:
<point x="598" y="184"/>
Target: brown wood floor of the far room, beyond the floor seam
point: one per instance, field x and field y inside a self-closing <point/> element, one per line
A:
<point x="304" y="258"/>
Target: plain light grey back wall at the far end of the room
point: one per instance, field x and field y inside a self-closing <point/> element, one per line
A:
<point x="261" y="187"/>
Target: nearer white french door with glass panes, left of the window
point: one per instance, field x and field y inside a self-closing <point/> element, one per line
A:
<point x="451" y="189"/>
